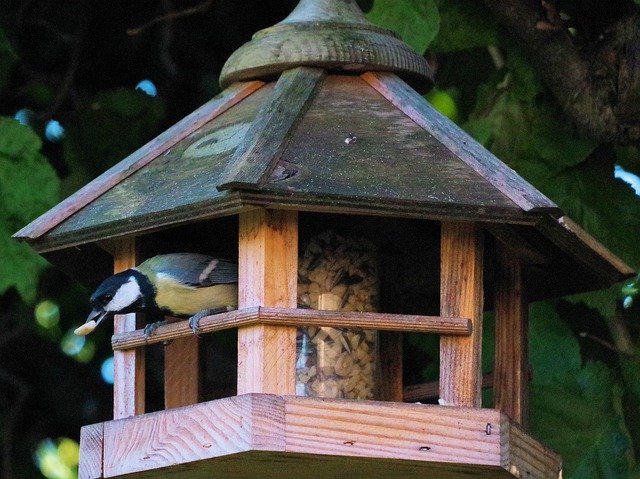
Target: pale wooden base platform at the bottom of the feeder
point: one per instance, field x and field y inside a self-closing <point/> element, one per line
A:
<point x="266" y="436"/>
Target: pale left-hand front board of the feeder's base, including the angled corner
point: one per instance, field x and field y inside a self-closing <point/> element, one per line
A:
<point x="193" y="433"/>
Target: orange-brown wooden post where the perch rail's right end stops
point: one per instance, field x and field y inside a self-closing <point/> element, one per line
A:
<point x="461" y="295"/>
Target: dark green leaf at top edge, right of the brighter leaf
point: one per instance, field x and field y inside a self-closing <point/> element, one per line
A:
<point x="464" y="24"/>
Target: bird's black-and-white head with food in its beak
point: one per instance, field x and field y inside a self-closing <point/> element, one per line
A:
<point x="125" y="292"/>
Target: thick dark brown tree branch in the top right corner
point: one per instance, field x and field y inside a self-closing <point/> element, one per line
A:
<point x="598" y="86"/>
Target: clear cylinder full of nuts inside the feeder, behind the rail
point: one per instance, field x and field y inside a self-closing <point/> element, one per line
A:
<point x="341" y="274"/>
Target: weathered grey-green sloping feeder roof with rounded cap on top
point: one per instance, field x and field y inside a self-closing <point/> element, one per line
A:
<point x="347" y="137"/>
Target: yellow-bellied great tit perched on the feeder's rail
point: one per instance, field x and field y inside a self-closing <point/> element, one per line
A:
<point x="177" y="284"/>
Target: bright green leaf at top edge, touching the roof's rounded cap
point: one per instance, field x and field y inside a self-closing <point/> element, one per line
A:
<point x="416" y="21"/>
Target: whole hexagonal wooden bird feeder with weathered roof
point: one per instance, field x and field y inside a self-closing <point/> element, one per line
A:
<point x="319" y="127"/>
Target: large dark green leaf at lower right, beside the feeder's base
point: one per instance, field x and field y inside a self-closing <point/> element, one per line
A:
<point x="575" y="409"/>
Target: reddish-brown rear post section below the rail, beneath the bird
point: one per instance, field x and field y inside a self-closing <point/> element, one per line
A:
<point x="181" y="372"/>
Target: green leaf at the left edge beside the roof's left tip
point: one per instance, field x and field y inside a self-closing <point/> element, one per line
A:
<point x="28" y="187"/>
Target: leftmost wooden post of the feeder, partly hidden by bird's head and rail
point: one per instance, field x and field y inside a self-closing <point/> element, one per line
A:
<point x="128" y="386"/>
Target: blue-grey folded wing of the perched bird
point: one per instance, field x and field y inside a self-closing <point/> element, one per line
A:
<point x="196" y="270"/>
